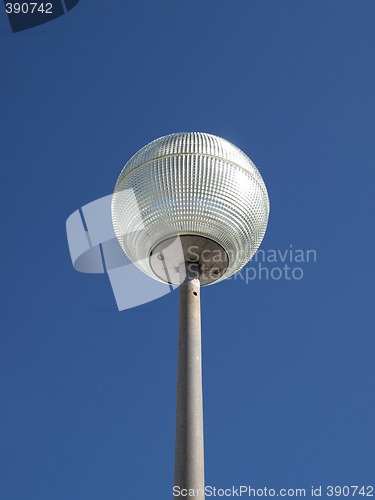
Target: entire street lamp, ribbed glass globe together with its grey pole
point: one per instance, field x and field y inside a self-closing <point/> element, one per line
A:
<point x="197" y="214"/>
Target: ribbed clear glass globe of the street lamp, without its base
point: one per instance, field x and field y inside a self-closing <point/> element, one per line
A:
<point x="190" y="184"/>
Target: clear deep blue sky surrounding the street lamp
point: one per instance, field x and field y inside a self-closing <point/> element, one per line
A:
<point x="88" y="393"/>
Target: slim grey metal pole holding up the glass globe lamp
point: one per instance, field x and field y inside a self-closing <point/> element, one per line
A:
<point x="189" y="451"/>
